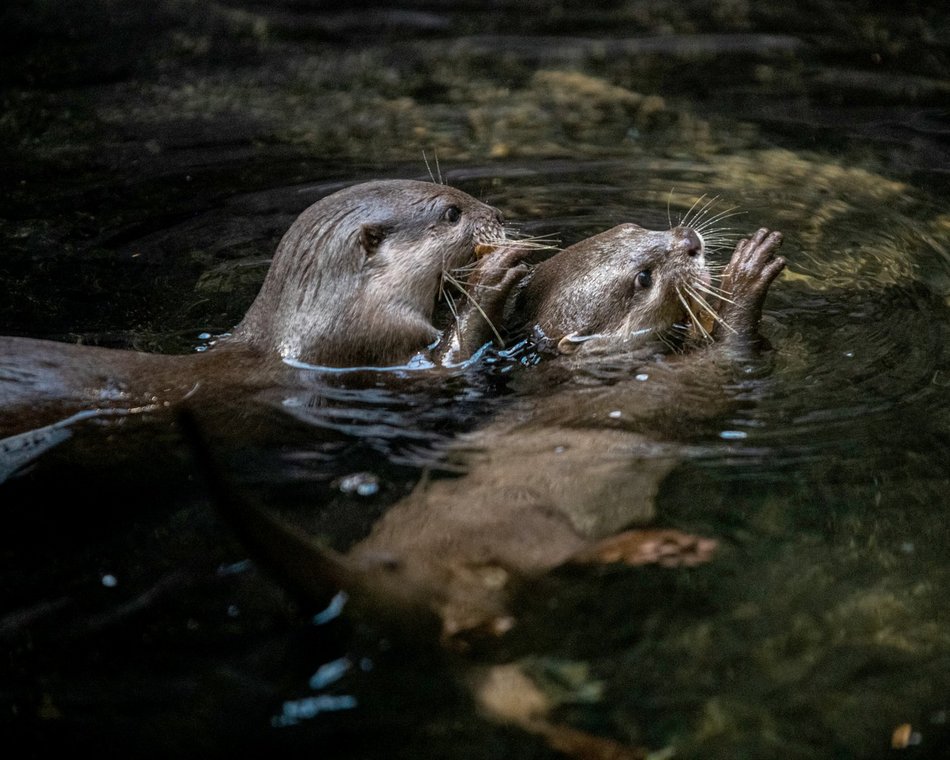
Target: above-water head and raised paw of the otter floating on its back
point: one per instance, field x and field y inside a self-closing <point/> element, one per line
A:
<point x="628" y="287"/>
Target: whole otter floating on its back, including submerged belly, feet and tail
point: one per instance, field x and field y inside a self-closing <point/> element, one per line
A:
<point x="557" y="478"/>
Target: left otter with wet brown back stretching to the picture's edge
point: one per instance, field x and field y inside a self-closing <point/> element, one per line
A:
<point x="354" y="281"/>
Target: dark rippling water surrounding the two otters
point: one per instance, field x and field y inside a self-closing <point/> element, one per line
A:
<point x="152" y="159"/>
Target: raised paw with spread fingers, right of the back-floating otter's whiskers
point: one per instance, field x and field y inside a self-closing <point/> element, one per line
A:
<point x="746" y="281"/>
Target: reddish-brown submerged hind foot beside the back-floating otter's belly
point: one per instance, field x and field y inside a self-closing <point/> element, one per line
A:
<point x="666" y="548"/>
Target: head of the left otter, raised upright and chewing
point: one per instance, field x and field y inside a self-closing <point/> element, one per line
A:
<point x="356" y="278"/>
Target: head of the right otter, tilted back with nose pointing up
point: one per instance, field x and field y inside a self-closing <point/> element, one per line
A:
<point x="619" y="289"/>
